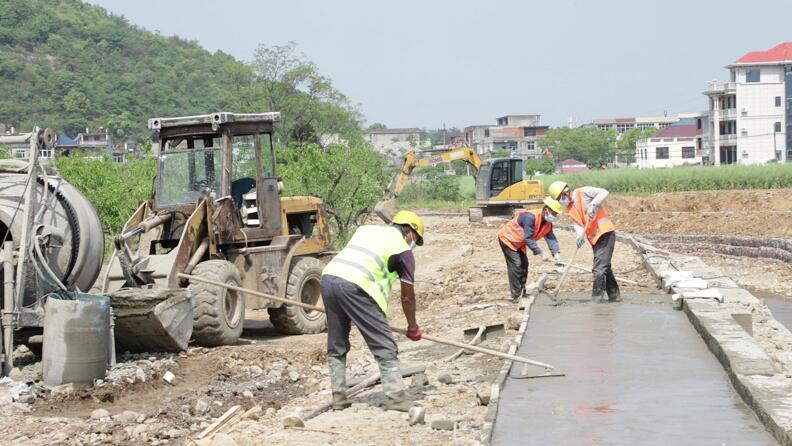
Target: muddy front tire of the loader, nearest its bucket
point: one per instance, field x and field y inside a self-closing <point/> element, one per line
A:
<point x="218" y="313"/>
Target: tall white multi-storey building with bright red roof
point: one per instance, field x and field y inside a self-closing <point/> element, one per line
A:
<point x="747" y="122"/>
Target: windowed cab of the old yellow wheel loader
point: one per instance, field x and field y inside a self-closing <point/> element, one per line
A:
<point x="218" y="155"/>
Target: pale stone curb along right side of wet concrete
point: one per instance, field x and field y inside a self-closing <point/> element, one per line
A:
<point x="751" y="371"/>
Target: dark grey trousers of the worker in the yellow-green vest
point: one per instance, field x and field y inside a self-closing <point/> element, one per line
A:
<point x="346" y="303"/>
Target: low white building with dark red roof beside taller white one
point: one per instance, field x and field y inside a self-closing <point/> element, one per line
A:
<point x="673" y="146"/>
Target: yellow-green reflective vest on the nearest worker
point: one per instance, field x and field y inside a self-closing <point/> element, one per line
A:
<point x="364" y="261"/>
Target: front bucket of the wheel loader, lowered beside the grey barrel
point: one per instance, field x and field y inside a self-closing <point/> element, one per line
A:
<point x="152" y="320"/>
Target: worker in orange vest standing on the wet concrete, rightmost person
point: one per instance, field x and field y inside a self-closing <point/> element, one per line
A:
<point x="585" y="205"/>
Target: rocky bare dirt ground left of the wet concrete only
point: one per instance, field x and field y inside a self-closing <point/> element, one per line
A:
<point x="461" y="283"/>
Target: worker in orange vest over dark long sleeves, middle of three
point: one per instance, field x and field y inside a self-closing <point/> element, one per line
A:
<point x="522" y="232"/>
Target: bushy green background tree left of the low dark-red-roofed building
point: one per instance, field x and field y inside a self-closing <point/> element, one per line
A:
<point x="590" y="145"/>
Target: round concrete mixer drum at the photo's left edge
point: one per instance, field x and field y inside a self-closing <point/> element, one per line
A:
<point x="78" y="260"/>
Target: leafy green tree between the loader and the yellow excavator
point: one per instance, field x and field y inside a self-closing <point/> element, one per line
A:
<point x="350" y="177"/>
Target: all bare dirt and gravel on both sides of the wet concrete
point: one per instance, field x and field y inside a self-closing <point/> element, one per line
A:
<point x="461" y="283"/>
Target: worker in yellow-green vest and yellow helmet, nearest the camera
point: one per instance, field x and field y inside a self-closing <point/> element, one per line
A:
<point x="355" y="288"/>
